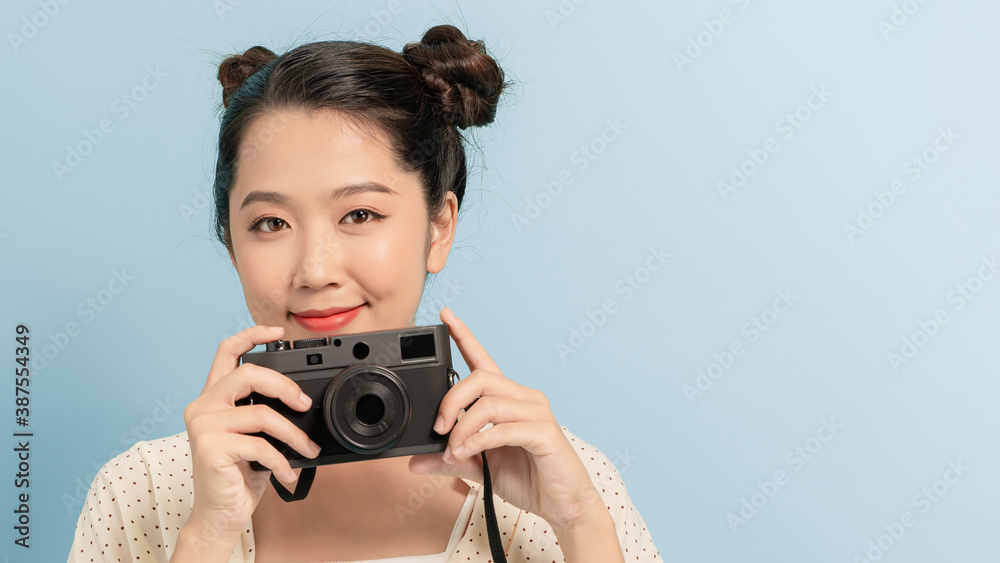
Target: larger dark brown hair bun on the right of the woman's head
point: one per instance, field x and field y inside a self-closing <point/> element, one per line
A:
<point x="463" y="80"/>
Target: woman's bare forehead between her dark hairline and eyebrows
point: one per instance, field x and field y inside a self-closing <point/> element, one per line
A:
<point x="301" y="152"/>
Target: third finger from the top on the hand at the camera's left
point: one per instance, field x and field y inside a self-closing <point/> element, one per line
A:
<point x="260" y="418"/>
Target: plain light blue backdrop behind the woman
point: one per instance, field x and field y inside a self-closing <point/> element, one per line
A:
<point x="687" y="463"/>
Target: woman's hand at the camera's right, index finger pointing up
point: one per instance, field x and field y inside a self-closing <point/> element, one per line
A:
<point x="532" y="464"/>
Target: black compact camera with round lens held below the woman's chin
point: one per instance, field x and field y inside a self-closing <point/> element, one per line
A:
<point x="374" y="395"/>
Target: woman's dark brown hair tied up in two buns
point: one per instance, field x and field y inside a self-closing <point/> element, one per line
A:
<point x="418" y="99"/>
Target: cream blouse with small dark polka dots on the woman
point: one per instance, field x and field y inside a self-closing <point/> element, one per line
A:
<point x="139" y="501"/>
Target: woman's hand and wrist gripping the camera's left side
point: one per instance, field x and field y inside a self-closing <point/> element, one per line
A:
<point x="226" y="489"/>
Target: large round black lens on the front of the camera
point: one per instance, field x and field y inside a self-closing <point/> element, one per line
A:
<point x="366" y="408"/>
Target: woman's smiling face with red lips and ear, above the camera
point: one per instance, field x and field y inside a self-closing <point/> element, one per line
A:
<point x="329" y="235"/>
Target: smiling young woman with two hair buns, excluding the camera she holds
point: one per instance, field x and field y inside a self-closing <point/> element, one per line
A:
<point x="340" y="174"/>
